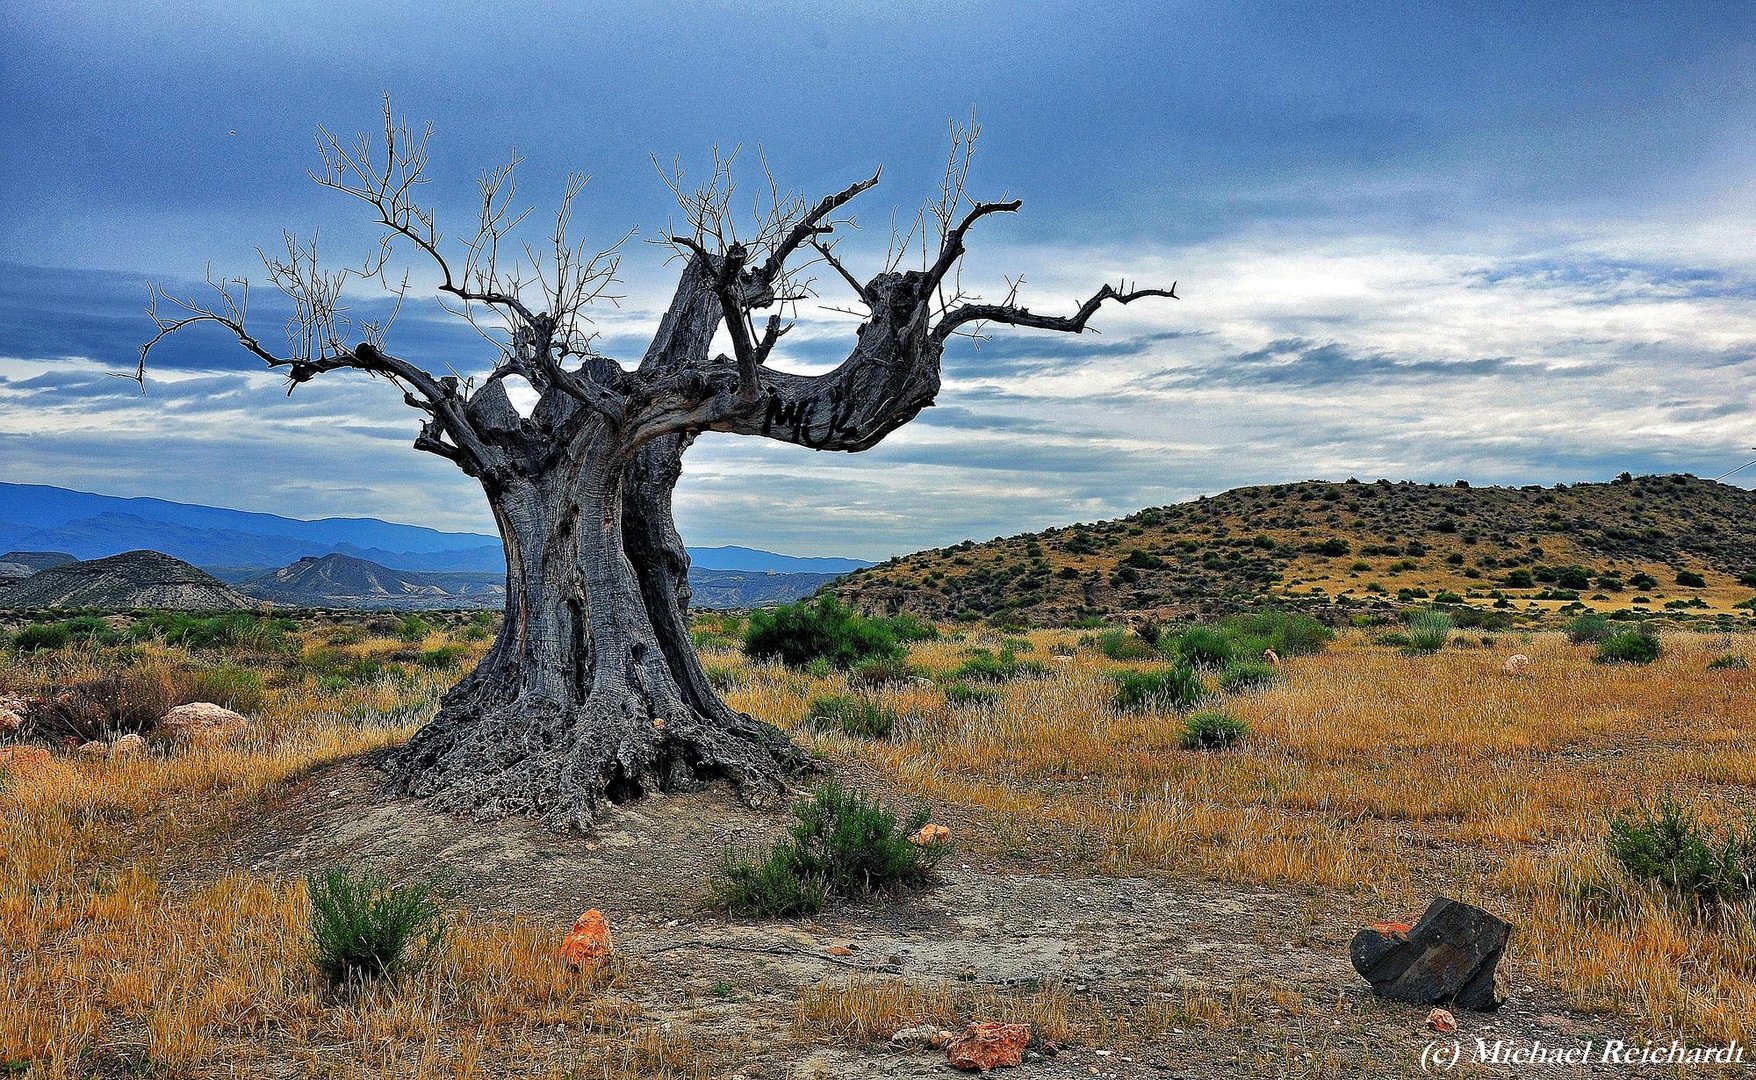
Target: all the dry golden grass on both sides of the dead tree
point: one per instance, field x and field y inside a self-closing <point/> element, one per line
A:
<point x="1367" y="774"/>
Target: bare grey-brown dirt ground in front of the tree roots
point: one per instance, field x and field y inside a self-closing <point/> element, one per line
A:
<point x="1197" y="979"/>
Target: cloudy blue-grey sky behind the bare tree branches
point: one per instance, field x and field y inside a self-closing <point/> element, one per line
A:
<point x="1425" y="241"/>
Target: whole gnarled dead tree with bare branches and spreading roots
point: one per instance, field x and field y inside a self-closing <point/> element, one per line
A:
<point x="593" y="689"/>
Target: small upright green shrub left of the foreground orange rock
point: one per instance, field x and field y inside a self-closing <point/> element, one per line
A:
<point x="366" y="928"/>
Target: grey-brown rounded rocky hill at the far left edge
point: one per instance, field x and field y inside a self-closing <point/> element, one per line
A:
<point x="124" y="582"/>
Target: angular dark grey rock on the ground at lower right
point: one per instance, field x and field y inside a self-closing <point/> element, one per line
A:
<point x="1448" y="958"/>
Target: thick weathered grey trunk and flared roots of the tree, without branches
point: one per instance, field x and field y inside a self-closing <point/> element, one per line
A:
<point x="591" y="693"/>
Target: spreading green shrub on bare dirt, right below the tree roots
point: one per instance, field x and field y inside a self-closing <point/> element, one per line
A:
<point x="844" y="846"/>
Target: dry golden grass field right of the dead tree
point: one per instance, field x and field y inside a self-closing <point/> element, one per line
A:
<point x="1379" y="775"/>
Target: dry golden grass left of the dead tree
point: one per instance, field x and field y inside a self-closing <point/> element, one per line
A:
<point x="110" y="961"/>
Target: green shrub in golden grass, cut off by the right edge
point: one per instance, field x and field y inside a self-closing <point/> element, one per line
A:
<point x="1669" y="846"/>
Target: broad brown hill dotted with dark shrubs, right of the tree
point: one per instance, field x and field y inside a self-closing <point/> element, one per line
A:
<point x="1657" y="544"/>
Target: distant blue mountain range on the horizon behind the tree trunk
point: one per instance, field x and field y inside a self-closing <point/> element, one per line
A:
<point x="47" y="519"/>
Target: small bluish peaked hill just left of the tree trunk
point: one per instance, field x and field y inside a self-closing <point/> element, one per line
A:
<point x="349" y="582"/>
